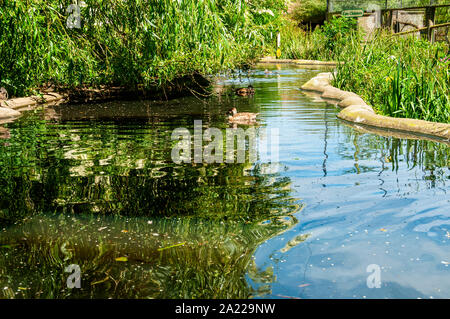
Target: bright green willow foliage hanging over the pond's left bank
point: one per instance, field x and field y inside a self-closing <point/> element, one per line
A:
<point x="128" y="42"/>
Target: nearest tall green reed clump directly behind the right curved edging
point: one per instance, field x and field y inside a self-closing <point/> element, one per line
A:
<point x="400" y="77"/>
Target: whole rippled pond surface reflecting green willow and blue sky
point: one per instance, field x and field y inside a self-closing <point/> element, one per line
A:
<point x="95" y="186"/>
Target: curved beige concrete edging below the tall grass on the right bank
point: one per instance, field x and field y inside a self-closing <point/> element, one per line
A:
<point x="357" y="111"/>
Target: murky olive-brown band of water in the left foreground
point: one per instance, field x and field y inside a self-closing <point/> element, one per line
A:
<point x="134" y="257"/>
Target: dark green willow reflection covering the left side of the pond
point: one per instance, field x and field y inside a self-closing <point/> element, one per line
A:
<point x="84" y="186"/>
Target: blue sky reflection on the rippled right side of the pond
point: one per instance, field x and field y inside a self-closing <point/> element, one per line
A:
<point x="383" y="201"/>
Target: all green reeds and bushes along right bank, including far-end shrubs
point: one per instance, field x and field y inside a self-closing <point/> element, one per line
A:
<point x="399" y="76"/>
